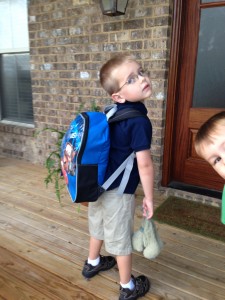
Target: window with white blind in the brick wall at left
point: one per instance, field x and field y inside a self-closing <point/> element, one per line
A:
<point x="15" y="79"/>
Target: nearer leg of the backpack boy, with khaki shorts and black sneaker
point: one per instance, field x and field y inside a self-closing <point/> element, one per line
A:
<point x="119" y="242"/>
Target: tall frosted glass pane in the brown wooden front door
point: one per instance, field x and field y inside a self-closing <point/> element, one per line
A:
<point x="209" y="89"/>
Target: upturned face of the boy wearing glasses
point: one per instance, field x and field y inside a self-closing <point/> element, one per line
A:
<point x="134" y="84"/>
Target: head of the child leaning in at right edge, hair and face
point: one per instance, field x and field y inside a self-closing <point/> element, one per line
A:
<point x="210" y="142"/>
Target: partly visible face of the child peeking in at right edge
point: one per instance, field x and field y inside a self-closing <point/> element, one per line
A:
<point x="214" y="152"/>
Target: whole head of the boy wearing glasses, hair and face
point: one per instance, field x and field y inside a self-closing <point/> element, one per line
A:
<point x="124" y="79"/>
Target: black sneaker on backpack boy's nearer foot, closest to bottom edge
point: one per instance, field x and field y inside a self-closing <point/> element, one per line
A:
<point x="142" y="286"/>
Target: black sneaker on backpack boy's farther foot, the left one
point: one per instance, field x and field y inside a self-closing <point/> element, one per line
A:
<point x="106" y="263"/>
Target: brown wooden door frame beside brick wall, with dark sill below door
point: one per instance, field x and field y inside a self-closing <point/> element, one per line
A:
<point x="177" y="48"/>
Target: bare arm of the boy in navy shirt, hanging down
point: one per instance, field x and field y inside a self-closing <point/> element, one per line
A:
<point x="146" y="172"/>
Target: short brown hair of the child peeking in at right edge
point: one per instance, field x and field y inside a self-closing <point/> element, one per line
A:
<point x="205" y="131"/>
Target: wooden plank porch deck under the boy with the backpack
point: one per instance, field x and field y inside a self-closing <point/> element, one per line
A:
<point x="43" y="247"/>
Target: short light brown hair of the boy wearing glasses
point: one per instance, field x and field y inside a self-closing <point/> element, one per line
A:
<point x="107" y="80"/>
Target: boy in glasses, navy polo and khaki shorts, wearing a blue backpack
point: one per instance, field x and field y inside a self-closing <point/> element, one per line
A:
<point x="111" y="216"/>
